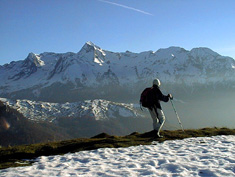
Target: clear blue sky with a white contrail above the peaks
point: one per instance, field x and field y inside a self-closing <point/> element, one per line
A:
<point x="117" y="25"/>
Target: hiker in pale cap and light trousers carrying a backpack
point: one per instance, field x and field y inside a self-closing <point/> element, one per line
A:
<point x="154" y="97"/>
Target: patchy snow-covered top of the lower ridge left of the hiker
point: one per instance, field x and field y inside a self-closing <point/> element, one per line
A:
<point x="97" y="109"/>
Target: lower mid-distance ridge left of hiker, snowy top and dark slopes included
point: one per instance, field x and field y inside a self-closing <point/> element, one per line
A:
<point x="26" y="122"/>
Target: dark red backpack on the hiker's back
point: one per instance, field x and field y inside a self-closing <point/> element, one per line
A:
<point x="146" y="98"/>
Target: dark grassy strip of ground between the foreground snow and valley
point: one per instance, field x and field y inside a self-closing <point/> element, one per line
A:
<point x="15" y="156"/>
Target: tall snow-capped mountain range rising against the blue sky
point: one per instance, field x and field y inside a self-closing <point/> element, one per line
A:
<point x="96" y="73"/>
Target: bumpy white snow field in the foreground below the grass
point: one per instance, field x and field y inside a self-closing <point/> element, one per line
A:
<point x="204" y="156"/>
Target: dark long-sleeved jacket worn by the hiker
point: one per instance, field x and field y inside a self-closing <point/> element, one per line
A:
<point x="158" y="96"/>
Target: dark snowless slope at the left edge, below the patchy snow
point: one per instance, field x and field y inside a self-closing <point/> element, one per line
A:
<point x="15" y="129"/>
